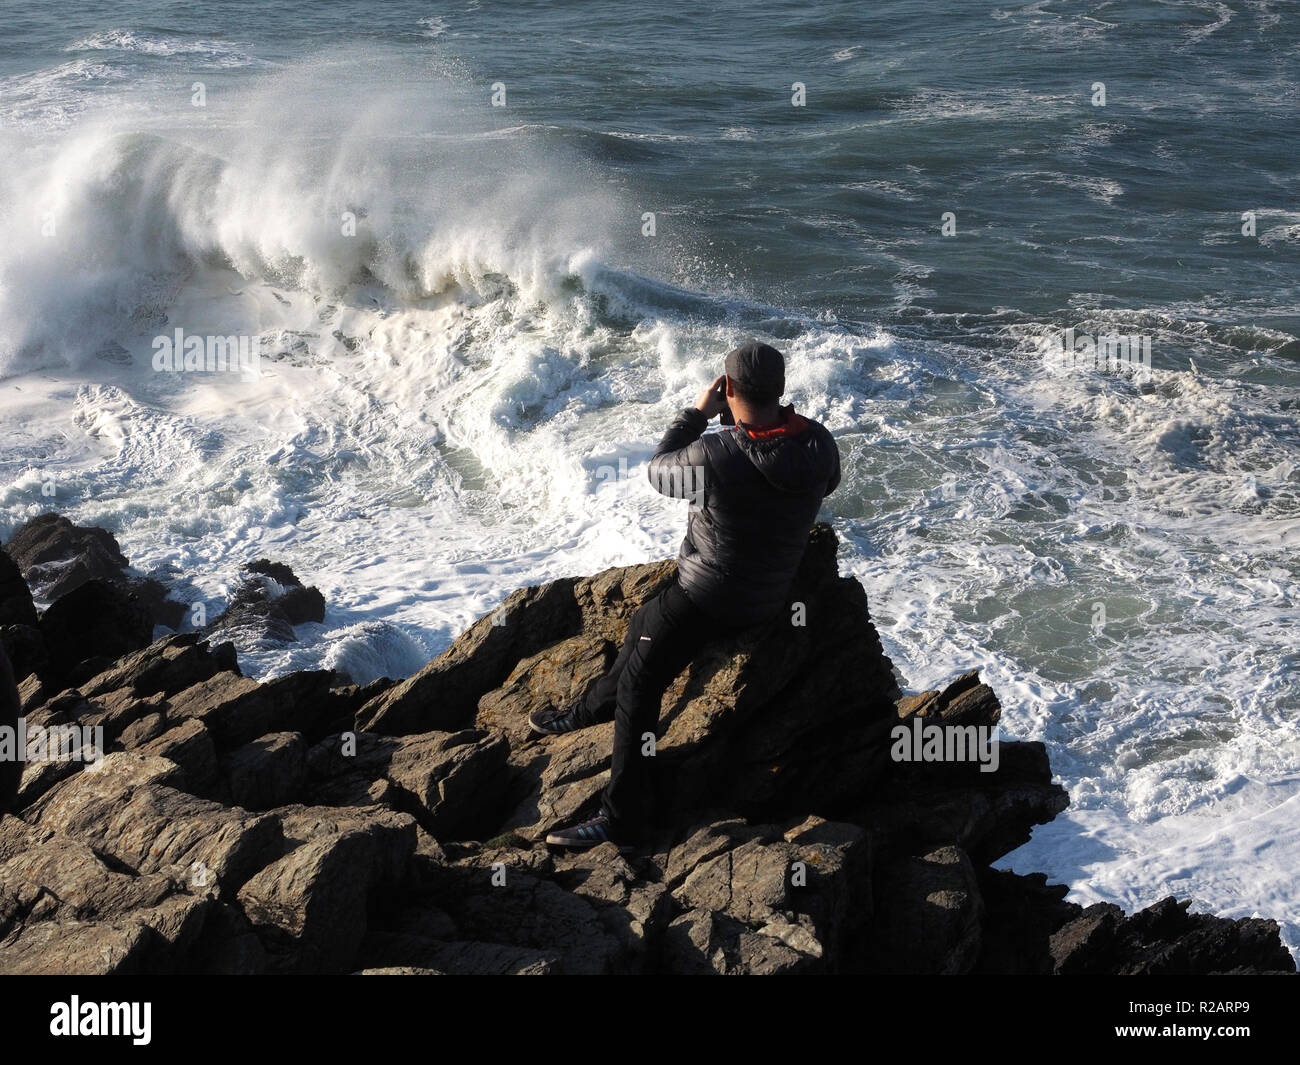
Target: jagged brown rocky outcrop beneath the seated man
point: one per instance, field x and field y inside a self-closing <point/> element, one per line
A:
<point x="306" y="825"/>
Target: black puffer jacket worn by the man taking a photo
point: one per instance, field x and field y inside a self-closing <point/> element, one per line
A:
<point x="753" y="500"/>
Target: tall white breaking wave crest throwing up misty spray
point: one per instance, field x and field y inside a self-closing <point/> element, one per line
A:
<point x="125" y="218"/>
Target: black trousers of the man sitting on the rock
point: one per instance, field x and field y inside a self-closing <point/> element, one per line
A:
<point x="664" y="638"/>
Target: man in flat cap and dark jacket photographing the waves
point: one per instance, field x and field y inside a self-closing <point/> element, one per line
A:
<point x="756" y="490"/>
